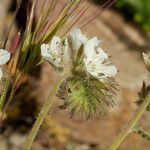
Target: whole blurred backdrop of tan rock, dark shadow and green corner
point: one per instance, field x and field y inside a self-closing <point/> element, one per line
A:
<point x="125" y="32"/>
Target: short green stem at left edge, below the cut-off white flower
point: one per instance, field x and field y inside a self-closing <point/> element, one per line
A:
<point x="3" y="96"/>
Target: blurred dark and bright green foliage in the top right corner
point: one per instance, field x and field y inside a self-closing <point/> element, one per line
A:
<point x="139" y="10"/>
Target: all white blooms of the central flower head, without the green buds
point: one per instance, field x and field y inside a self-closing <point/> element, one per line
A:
<point x="94" y="58"/>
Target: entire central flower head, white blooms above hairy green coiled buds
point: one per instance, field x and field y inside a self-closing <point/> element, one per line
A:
<point x="90" y="86"/>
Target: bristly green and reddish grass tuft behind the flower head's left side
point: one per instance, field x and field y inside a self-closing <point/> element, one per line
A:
<point x="42" y="32"/>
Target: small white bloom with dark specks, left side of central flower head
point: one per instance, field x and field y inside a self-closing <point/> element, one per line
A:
<point x="55" y="52"/>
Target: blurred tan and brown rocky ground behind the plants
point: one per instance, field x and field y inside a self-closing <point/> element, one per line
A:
<point x="124" y="41"/>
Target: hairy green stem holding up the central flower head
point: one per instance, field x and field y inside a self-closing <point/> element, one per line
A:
<point x="42" y="115"/>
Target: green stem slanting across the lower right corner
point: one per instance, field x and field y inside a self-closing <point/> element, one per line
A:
<point x="131" y="124"/>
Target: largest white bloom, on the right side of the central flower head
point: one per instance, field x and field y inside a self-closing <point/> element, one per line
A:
<point x="96" y="60"/>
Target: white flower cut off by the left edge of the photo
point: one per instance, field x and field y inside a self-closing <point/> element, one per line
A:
<point x="4" y="58"/>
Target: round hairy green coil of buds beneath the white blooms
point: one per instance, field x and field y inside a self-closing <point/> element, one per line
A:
<point x="86" y="96"/>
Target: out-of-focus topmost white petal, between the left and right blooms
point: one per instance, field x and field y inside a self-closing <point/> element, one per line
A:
<point x="77" y="38"/>
